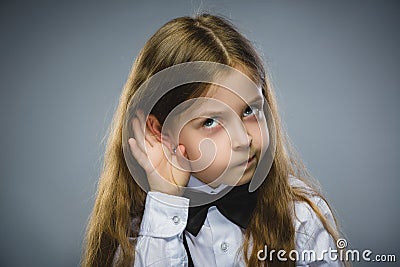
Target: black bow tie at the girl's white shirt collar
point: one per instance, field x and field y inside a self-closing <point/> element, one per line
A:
<point x="237" y="205"/>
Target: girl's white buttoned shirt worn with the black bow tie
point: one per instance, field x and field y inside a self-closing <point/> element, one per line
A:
<point x="160" y="241"/>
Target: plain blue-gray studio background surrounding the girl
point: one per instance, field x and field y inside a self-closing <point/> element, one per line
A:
<point x="335" y="68"/>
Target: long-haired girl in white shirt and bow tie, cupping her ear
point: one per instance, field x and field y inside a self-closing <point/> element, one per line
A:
<point x="181" y="180"/>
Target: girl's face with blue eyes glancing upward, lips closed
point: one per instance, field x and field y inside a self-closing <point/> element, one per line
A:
<point x="237" y="130"/>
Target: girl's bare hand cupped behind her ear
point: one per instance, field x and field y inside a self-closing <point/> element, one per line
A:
<point x="158" y="164"/>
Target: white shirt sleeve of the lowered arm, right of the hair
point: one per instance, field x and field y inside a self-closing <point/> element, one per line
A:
<point x="314" y="245"/>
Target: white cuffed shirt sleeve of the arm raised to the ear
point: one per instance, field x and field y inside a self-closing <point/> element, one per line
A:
<point x="160" y="241"/>
